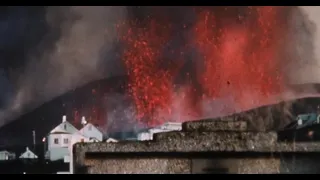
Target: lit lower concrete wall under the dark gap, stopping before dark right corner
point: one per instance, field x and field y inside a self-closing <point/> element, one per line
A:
<point x="176" y="165"/>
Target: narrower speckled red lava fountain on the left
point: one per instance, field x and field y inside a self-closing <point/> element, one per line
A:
<point x="150" y="85"/>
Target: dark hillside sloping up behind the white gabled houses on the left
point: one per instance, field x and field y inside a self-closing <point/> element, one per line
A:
<point x="46" y="117"/>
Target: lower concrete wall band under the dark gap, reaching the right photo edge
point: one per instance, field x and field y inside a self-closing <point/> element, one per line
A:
<point x="275" y="164"/>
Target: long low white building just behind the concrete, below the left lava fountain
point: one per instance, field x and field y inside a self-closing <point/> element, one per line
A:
<point x="166" y="127"/>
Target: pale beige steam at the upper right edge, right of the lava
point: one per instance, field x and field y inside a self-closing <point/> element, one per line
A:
<point x="305" y="53"/>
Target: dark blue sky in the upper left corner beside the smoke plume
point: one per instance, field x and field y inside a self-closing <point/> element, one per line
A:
<point x="18" y="36"/>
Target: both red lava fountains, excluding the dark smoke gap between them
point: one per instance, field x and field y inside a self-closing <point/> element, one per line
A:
<point x="239" y="57"/>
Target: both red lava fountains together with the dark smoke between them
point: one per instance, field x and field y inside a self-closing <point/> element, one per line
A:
<point x="239" y="60"/>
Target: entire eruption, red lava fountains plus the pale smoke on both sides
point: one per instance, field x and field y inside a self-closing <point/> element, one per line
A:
<point x="186" y="63"/>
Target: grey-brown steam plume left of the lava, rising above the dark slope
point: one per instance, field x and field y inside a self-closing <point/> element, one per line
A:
<point x="77" y="57"/>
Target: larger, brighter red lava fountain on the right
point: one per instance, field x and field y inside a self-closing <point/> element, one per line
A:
<point x="241" y="58"/>
